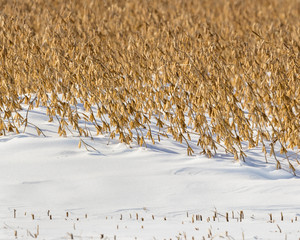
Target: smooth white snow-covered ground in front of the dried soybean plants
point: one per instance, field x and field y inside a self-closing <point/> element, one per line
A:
<point x="51" y="189"/>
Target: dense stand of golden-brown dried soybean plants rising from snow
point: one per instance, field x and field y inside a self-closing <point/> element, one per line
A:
<point x="226" y="72"/>
